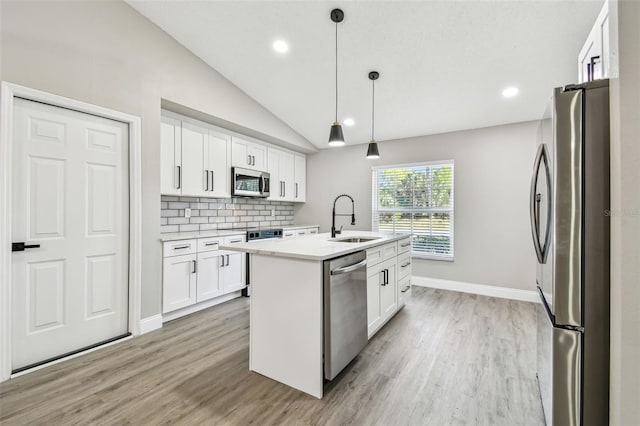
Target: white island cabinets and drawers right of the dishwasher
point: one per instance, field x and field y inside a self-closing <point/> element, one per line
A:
<point x="388" y="282"/>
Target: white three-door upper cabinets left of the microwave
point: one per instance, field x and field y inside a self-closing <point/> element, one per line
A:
<point x="195" y="159"/>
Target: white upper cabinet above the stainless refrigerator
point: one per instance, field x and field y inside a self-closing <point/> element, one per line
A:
<point x="594" y="60"/>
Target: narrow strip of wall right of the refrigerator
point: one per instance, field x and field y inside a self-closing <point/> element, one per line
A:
<point x="625" y="220"/>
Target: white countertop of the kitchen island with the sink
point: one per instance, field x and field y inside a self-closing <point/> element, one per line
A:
<point x="314" y="247"/>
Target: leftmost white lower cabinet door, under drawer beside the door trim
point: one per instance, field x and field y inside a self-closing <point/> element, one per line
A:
<point x="179" y="282"/>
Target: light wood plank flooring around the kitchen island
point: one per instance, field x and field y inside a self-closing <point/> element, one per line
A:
<point x="446" y="359"/>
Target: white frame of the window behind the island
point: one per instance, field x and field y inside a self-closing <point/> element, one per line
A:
<point x="375" y="210"/>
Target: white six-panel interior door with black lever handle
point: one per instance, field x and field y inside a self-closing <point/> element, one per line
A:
<point x="70" y="196"/>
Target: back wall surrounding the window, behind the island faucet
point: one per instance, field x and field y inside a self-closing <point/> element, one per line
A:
<point x="492" y="178"/>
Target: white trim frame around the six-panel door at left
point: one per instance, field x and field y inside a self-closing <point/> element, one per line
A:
<point x="8" y="93"/>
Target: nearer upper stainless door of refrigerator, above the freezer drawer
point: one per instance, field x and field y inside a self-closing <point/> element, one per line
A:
<point x="568" y="207"/>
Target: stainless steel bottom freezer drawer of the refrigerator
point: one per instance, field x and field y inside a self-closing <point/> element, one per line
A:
<point x="558" y="365"/>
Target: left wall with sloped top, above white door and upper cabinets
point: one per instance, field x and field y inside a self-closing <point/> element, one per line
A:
<point x="106" y="53"/>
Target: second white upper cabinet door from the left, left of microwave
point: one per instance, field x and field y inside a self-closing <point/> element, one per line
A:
<point x="194" y="140"/>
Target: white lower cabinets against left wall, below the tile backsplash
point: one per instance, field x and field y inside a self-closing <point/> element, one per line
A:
<point x="206" y="273"/>
